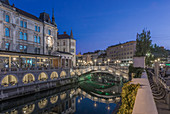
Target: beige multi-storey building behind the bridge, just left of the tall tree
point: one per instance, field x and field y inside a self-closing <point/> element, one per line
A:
<point x="122" y="52"/>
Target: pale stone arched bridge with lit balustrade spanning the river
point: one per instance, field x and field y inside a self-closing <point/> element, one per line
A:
<point x="114" y="70"/>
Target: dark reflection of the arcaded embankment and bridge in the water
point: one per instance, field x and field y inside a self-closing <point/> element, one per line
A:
<point x="59" y="101"/>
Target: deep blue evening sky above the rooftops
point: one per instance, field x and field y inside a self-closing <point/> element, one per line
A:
<point x="98" y="24"/>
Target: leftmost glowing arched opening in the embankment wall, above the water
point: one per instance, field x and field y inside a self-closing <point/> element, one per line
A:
<point x="9" y="80"/>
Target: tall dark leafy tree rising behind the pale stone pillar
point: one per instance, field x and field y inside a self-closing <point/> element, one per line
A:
<point x="143" y="45"/>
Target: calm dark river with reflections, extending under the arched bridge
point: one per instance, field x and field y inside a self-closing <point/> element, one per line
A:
<point x="95" y="93"/>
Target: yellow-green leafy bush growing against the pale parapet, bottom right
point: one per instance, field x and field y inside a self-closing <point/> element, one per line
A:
<point x="128" y="95"/>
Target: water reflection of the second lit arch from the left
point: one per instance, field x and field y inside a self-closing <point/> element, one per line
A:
<point x="28" y="109"/>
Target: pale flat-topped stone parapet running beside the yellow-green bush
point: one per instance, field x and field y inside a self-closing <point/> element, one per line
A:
<point x="144" y="103"/>
